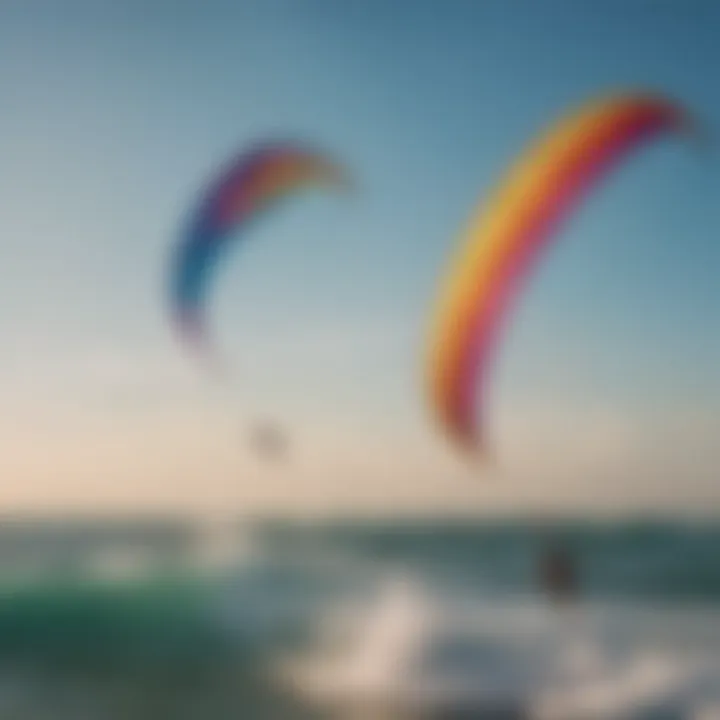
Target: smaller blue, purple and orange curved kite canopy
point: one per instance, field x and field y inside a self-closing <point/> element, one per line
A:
<point x="251" y="185"/>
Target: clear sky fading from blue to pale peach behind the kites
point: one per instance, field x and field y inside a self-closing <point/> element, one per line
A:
<point x="114" y="114"/>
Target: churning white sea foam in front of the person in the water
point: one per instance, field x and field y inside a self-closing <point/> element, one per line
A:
<point x="407" y="651"/>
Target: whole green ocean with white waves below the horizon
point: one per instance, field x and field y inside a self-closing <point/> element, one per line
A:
<point x="163" y="619"/>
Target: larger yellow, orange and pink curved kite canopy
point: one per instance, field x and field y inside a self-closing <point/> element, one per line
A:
<point x="505" y="239"/>
